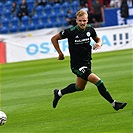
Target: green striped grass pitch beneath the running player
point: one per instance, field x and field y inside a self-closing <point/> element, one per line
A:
<point x="26" y="94"/>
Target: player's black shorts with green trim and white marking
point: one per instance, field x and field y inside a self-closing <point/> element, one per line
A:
<point x="83" y="71"/>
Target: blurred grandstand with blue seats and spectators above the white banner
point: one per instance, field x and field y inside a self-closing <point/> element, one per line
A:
<point x="26" y="15"/>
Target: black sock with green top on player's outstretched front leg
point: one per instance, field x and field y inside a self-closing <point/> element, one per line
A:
<point x="103" y="91"/>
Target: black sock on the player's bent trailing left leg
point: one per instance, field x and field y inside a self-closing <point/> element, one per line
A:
<point x="70" y="89"/>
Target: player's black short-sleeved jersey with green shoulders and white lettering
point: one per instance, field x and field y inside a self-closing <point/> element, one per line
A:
<point x="79" y="44"/>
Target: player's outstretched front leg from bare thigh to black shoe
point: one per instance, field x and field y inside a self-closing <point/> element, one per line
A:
<point x="104" y="92"/>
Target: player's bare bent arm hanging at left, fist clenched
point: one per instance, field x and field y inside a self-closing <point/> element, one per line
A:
<point x="54" y="40"/>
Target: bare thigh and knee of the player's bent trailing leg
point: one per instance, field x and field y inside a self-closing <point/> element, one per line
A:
<point x="80" y="83"/>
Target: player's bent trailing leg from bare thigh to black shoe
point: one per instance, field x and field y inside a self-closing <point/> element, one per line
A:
<point x="79" y="86"/>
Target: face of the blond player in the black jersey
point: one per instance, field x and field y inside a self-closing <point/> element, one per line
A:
<point x="82" y="21"/>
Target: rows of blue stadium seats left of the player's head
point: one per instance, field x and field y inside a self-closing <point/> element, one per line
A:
<point x="48" y="16"/>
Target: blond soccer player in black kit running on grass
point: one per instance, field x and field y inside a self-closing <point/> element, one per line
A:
<point x="80" y="59"/>
